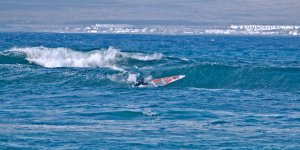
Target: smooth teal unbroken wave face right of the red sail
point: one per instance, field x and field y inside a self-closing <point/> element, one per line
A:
<point x="216" y="76"/>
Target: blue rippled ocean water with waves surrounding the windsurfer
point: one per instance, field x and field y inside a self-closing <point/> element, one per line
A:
<point x="74" y="91"/>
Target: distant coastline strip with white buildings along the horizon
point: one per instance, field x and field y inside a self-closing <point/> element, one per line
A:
<point x="251" y="29"/>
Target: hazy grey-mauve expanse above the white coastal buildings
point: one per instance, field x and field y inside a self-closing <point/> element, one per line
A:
<point x="199" y="12"/>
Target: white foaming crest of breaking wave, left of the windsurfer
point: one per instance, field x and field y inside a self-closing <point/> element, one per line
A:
<point x="65" y="57"/>
